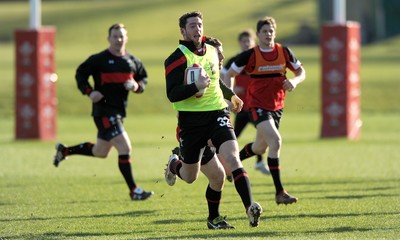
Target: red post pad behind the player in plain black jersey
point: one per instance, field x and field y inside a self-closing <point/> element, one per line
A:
<point x="35" y="89"/>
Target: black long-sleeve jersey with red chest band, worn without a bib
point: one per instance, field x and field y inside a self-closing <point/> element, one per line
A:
<point x="109" y="73"/>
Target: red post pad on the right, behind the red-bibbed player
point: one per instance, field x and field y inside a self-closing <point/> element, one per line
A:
<point x="340" y="89"/>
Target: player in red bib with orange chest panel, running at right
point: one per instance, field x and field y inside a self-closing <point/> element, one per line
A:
<point x="267" y="64"/>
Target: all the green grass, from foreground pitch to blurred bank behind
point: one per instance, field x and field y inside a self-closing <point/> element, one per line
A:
<point x="347" y="189"/>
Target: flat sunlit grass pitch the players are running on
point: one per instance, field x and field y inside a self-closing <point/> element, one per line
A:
<point x="347" y="189"/>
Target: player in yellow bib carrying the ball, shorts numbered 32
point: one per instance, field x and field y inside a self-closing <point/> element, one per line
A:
<point x="204" y="118"/>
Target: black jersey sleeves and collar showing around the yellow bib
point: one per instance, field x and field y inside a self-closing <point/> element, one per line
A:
<point x="175" y="66"/>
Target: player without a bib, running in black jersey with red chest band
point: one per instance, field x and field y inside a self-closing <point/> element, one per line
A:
<point x="115" y="73"/>
